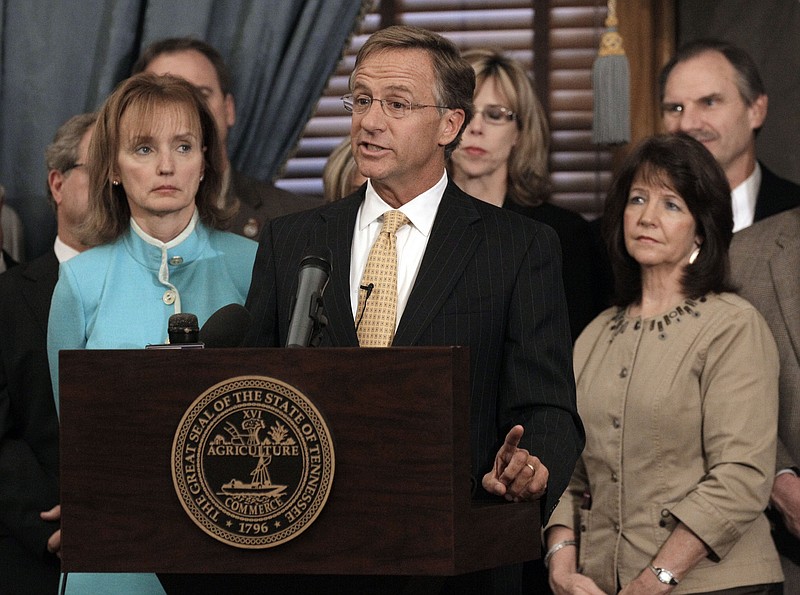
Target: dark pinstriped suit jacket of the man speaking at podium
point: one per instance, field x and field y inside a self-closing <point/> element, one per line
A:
<point x="490" y="279"/>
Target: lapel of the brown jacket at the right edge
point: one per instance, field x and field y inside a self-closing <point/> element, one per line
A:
<point x="785" y="270"/>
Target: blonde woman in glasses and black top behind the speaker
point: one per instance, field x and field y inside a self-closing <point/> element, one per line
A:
<point x="502" y="159"/>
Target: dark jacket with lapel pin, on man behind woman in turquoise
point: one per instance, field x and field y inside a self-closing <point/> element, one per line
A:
<point x="258" y="202"/>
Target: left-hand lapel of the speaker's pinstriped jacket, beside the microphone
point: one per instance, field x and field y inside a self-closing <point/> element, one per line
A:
<point x="337" y="234"/>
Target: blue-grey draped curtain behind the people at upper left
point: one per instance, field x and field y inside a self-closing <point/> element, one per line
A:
<point x="58" y="59"/>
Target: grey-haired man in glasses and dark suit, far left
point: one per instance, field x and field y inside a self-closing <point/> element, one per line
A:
<point x="29" y="533"/>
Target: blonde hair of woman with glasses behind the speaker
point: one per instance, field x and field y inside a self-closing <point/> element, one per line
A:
<point x="528" y="174"/>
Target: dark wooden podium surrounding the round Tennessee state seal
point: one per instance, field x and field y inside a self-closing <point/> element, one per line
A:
<point x="401" y="499"/>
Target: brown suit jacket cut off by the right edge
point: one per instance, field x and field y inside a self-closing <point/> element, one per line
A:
<point x="765" y="262"/>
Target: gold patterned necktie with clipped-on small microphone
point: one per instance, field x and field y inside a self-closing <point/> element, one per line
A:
<point x="377" y="307"/>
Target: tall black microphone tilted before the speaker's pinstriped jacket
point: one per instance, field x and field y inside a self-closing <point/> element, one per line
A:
<point x="307" y="319"/>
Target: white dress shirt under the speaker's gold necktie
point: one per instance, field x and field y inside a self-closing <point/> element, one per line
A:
<point x="412" y="239"/>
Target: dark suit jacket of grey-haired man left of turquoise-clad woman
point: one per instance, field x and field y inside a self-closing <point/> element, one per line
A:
<point x="28" y="429"/>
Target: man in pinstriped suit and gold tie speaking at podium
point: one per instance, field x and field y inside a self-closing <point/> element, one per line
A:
<point x="417" y="262"/>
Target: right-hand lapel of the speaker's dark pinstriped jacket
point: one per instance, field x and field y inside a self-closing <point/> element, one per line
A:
<point x="450" y="248"/>
